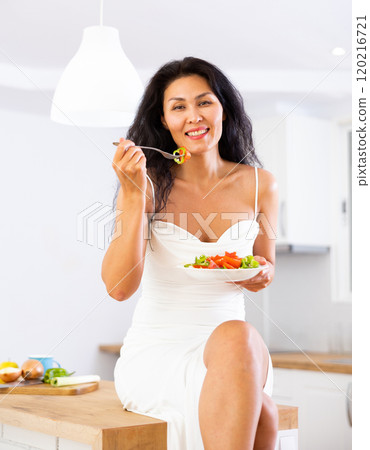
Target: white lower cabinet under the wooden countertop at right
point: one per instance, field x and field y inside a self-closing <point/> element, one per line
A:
<point x="322" y="402"/>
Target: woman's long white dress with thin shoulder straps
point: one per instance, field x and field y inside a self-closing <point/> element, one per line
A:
<point x="160" y="370"/>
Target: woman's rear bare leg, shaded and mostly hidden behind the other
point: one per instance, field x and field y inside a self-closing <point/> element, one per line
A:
<point x="267" y="428"/>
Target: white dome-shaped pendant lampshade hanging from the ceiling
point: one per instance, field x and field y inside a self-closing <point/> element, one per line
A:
<point x="99" y="87"/>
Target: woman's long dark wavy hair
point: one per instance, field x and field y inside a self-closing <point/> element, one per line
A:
<point x="236" y="142"/>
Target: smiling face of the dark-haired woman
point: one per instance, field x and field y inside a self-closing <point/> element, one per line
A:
<point x="193" y="114"/>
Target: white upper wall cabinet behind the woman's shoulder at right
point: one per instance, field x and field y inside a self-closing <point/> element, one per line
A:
<point x="297" y="150"/>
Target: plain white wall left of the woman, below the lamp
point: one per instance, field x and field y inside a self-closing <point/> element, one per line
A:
<point x="52" y="296"/>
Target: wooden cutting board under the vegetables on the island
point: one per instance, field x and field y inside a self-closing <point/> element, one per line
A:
<point x="46" y="389"/>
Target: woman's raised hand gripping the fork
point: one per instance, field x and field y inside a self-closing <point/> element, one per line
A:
<point x="129" y="163"/>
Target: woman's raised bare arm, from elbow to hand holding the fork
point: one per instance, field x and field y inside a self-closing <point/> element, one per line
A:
<point x="123" y="262"/>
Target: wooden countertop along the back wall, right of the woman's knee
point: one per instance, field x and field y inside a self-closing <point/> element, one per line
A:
<point x="327" y="362"/>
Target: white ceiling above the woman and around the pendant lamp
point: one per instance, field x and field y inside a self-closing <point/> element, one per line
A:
<point x="261" y="42"/>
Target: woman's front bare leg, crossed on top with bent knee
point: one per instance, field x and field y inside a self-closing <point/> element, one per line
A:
<point x="231" y="399"/>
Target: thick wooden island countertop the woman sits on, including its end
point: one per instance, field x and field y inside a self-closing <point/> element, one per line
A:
<point x="96" y="419"/>
